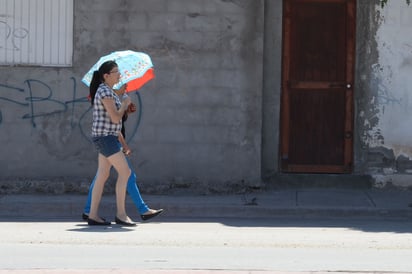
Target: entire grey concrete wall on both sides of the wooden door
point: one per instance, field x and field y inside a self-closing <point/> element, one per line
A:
<point x="210" y="119"/>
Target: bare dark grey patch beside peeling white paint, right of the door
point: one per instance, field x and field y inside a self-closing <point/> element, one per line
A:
<point x="371" y="95"/>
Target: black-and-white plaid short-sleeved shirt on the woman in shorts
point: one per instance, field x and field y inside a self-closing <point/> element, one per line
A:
<point x="102" y="124"/>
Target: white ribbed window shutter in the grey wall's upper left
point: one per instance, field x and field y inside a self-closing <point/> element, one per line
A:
<point x="36" y="32"/>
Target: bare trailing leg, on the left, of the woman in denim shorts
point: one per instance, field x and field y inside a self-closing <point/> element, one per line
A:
<point x="103" y="173"/>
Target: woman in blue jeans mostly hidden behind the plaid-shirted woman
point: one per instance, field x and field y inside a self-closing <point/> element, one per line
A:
<point x="146" y="213"/>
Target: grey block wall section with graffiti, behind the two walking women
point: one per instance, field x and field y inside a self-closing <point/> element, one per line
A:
<point x="200" y="120"/>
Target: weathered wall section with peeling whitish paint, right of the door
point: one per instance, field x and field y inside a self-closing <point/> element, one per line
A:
<point x="384" y="104"/>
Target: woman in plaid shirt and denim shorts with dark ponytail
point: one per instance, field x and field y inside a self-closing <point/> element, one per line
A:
<point x="108" y="111"/>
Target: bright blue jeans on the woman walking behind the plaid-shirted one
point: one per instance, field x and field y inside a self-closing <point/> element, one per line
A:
<point x="132" y="189"/>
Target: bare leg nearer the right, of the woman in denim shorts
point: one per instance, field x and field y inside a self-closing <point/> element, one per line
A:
<point x="119" y="162"/>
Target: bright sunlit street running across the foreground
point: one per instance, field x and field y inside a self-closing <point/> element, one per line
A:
<point x="246" y="245"/>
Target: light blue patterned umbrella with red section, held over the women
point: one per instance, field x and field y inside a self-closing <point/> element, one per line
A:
<point x="136" y="69"/>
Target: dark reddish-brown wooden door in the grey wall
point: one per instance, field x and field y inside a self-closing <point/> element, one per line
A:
<point x="317" y="86"/>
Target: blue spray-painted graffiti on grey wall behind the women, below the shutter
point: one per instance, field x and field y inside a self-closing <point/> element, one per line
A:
<point x="34" y="93"/>
